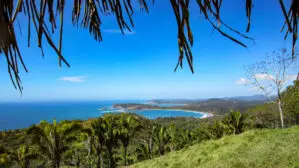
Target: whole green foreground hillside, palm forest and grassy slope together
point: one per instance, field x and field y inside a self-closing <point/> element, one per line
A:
<point x="235" y="139"/>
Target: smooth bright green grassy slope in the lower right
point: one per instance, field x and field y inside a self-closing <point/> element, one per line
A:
<point x="261" y="148"/>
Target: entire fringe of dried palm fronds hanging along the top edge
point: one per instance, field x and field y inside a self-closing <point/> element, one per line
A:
<point x="87" y="13"/>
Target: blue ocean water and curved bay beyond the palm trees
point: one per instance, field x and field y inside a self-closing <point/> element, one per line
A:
<point x="22" y="115"/>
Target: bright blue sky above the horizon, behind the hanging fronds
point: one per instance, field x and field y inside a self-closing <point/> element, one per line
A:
<point x="140" y="64"/>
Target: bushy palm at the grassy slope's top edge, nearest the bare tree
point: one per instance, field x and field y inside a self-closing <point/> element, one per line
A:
<point x="236" y="121"/>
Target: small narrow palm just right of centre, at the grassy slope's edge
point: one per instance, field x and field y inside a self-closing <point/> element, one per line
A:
<point x="161" y="138"/>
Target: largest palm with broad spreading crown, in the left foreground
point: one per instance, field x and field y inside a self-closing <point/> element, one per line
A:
<point x="53" y="140"/>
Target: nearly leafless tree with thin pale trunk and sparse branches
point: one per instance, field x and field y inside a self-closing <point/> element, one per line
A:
<point x="272" y="75"/>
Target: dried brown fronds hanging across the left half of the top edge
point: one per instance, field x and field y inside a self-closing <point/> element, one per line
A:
<point x="85" y="11"/>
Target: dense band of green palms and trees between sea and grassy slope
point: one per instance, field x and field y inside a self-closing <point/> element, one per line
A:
<point x="116" y="139"/>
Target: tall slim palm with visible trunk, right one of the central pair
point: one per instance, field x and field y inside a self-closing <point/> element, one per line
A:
<point x="128" y="126"/>
